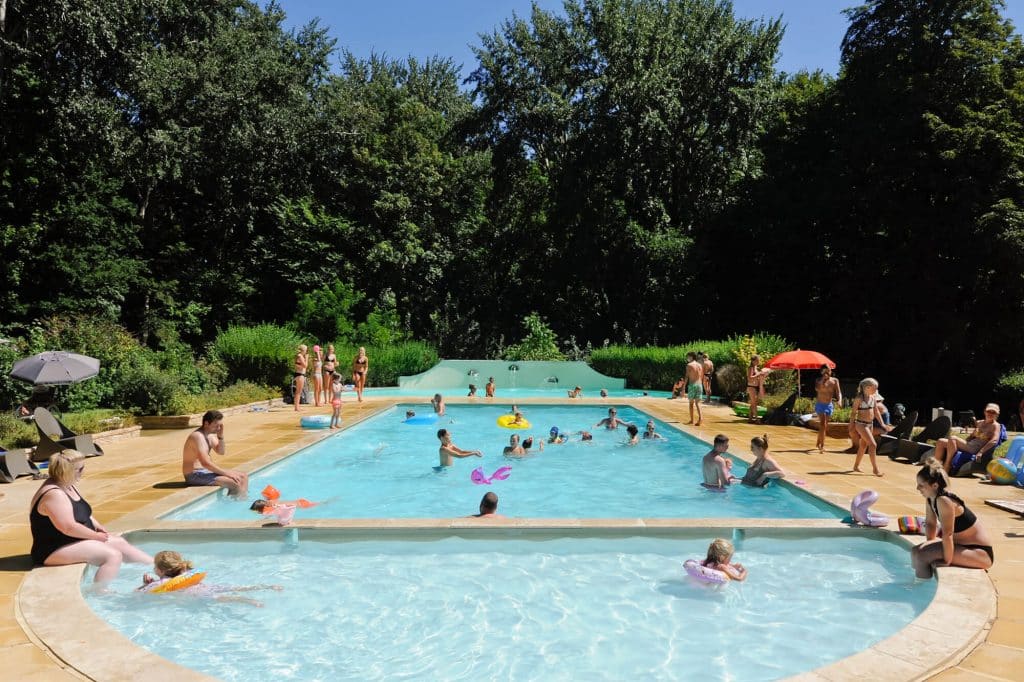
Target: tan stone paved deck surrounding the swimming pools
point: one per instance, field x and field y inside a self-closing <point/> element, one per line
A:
<point x="141" y="475"/>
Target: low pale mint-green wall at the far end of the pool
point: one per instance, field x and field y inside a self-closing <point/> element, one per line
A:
<point x="449" y="375"/>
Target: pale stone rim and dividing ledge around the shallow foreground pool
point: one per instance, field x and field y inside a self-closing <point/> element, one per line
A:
<point x="964" y="604"/>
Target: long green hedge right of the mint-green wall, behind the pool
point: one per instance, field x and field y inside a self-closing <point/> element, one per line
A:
<point x="658" y="368"/>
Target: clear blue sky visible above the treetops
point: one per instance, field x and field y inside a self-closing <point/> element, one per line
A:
<point x="448" y="28"/>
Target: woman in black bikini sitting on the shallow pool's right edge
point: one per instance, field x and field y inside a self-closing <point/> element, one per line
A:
<point x="965" y="542"/>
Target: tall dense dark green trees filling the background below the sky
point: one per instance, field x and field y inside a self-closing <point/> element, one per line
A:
<point x="633" y="170"/>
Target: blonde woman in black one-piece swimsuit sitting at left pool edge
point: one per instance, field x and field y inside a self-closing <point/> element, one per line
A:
<point x="64" y="530"/>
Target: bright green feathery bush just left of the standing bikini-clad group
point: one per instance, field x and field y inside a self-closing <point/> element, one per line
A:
<point x="262" y="355"/>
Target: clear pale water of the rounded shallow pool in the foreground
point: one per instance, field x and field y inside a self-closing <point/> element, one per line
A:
<point x="446" y="608"/>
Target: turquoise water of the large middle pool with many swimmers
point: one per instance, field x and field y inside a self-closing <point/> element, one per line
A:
<point x="383" y="468"/>
